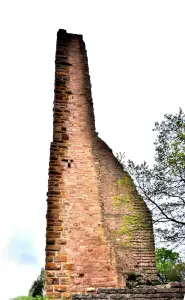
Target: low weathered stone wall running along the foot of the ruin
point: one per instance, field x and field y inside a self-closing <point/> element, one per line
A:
<point x="175" y="291"/>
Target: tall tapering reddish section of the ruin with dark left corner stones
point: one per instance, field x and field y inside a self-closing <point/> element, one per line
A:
<point x="78" y="252"/>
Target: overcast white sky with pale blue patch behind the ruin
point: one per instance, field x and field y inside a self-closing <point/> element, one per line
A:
<point x="136" y="52"/>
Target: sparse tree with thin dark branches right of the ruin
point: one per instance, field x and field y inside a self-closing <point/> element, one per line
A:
<point x="163" y="185"/>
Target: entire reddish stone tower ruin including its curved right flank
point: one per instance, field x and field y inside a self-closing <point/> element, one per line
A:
<point x="82" y="250"/>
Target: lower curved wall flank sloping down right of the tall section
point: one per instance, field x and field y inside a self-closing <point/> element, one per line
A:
<point x="139" y="256"/>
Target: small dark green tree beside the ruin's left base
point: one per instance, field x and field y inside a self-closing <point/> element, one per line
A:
<point x="37" y="288"/>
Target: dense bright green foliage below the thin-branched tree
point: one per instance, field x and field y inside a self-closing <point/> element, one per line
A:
<point x="169" y="265"/>
